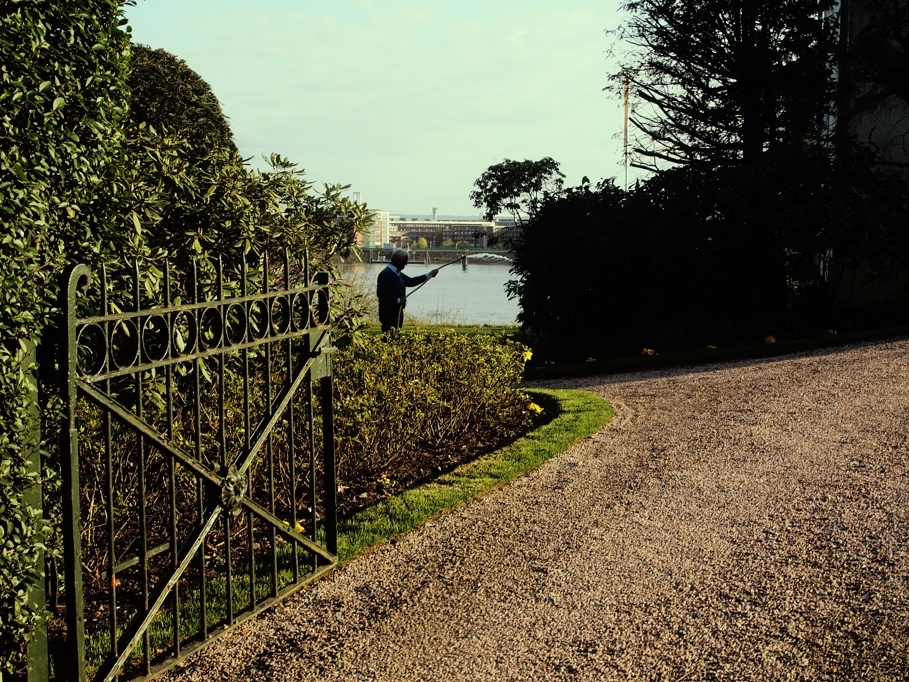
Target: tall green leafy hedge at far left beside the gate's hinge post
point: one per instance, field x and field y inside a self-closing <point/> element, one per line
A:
<point x="62" y="101"/>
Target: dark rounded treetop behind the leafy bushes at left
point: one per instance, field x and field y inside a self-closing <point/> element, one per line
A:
<point x="168" y="95"/>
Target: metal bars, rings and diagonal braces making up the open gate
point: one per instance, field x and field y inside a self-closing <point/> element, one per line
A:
<point x="312" y="363"/>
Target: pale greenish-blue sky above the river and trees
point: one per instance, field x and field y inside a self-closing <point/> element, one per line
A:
<point x="407" y="101"/>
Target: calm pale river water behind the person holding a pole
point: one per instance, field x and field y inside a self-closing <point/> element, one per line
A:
<point x="454" y="296"/>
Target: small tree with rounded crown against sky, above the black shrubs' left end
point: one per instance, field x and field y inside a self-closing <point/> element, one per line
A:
<point x="518" y="187"/>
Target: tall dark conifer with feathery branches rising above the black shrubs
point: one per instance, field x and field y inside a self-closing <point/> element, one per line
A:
<point x="723" y="82"/>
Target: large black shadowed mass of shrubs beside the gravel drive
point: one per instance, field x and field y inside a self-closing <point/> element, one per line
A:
<point x="696" y="257"/>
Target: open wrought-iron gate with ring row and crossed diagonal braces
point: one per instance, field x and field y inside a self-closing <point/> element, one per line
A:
<point x="200" y="482"/>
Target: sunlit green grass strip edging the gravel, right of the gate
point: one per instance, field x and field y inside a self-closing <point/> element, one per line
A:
<point x="579" y="414"/>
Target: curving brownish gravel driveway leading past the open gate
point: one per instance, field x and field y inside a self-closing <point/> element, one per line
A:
<point x="744" y="521"/>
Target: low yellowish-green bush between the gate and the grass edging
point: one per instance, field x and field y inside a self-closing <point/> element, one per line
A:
<point x="399" y="395"/>
